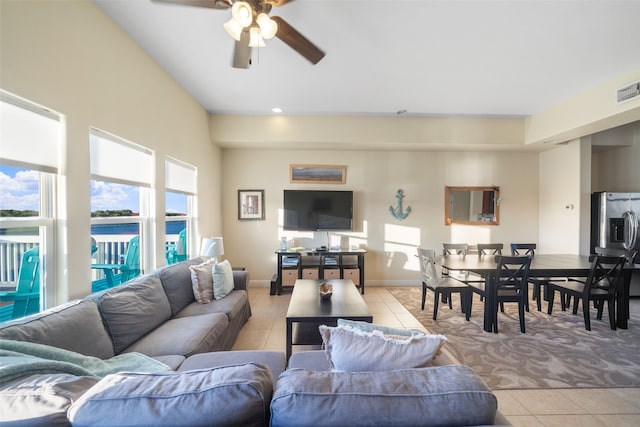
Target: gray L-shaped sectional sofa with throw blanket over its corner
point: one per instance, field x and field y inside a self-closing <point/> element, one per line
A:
<point x="107" y="371"/>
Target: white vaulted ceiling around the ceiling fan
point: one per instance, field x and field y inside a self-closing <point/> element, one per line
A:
<point x="428" y="58"/>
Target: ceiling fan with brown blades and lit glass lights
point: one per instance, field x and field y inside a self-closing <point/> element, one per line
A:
<point x="250" y="24"/>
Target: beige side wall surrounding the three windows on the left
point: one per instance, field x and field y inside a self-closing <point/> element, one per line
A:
<point x="70" y="57"/>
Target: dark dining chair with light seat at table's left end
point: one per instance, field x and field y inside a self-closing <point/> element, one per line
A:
<point x="441" y="286"/>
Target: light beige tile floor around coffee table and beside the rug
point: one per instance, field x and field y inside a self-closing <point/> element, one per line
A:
<point x="265" y="330"/>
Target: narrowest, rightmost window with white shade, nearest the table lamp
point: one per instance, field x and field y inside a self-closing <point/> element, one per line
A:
<point x="180" y="200"/>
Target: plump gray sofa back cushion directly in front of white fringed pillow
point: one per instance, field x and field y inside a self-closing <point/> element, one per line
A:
<point x="436" y="396"/>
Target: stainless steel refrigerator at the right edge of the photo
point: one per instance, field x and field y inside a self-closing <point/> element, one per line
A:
<point x="614" y="224"/>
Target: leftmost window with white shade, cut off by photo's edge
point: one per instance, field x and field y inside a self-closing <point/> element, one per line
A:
<point x="30" y="137"/>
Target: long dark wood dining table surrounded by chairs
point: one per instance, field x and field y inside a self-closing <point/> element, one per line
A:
<point x="549" y="266"/>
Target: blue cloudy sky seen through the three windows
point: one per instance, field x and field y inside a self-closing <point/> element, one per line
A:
<point x="19" y="190"/>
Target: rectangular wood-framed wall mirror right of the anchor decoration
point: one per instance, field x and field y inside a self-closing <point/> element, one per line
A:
<point x="472" y="205"/>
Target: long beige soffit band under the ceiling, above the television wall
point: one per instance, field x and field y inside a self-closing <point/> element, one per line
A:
<point x="358" y="132"/>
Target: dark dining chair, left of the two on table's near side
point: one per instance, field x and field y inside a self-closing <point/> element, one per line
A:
<point x="511" y="286"/>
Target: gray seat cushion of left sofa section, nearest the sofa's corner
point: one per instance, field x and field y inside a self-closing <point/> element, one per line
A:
<point x="184" y="336"/>
